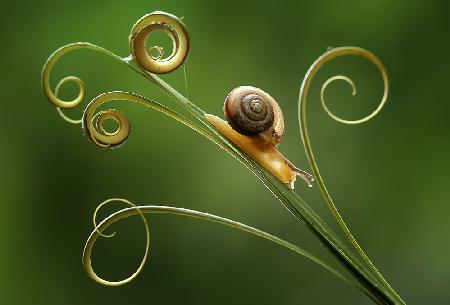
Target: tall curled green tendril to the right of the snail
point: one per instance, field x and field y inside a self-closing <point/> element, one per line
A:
<point x="329" y="55"/>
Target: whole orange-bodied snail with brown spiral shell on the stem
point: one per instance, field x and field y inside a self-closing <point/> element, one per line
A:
<point x="255" y="124"/>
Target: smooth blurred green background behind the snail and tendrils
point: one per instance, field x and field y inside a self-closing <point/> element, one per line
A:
<point x="389" y="177"/>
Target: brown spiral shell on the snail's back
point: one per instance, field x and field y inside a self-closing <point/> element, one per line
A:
<point x="251" y="111"/>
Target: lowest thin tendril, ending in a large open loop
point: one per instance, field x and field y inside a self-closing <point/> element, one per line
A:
<point x="134" y="210"/>
